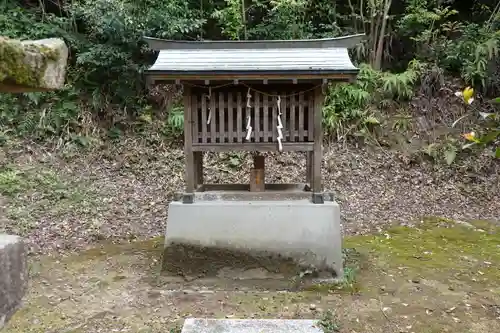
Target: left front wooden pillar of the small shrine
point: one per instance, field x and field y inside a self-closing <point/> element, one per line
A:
<point x="188" y="147"/>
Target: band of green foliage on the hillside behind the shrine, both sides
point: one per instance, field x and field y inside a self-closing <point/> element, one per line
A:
<point x="106" y="94"/>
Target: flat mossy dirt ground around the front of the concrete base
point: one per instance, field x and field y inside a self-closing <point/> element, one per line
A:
<point x="80" y="287"/>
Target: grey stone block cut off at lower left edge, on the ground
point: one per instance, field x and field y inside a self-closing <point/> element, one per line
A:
<point x="13" y="275"/>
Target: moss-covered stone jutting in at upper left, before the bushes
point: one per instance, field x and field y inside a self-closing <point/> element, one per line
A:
<point x="26" y="63"/>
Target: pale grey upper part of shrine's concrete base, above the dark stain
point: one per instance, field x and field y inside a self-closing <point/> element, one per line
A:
<point x="307" y="232"/>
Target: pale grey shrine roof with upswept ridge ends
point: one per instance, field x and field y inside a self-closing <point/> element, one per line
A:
<point x="212" y="59"/>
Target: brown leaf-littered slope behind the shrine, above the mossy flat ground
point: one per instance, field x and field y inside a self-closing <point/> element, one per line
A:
<point x="65" y="201"/>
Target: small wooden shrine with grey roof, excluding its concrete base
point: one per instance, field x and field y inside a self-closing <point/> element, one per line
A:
<point x="257" y="96"/>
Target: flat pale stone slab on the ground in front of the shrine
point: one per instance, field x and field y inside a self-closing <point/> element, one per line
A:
<point x="195" y="325"/>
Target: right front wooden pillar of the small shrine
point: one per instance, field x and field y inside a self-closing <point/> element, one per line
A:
<point x="317" y="186"/>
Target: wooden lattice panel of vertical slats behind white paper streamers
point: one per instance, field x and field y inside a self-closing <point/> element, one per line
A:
<point x="228" y="115"/>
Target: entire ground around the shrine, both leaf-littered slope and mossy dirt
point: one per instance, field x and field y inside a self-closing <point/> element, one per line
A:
<point x="439" y="276"/>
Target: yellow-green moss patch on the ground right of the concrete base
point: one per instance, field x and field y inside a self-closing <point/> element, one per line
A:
<point x="437" y="248"/>
